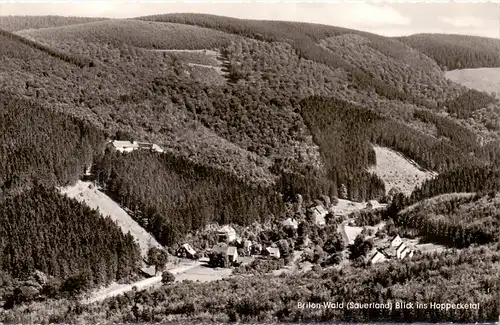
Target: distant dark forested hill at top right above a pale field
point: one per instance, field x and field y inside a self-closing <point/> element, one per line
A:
<point x="456" y="51"/>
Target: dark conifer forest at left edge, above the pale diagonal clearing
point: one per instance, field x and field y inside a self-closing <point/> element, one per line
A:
<point x="39" y="145"/>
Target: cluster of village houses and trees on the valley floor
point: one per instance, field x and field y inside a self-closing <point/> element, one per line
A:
<point x="297" y="244"/>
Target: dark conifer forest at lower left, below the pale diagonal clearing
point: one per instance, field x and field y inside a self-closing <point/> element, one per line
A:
<point x="41" y="230"/>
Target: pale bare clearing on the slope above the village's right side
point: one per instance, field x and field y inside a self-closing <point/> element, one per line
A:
<point x="397" y="171"/>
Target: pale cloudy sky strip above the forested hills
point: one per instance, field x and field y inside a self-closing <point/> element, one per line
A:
<point x="384" y="18"/>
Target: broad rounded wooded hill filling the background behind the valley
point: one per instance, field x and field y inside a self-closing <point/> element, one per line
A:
<point x="236" y="95"/>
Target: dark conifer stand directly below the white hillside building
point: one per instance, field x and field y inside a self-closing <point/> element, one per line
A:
<point x="171" y="196"/>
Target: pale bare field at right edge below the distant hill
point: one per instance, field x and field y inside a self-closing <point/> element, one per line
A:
<point x="482" y="79"/>
